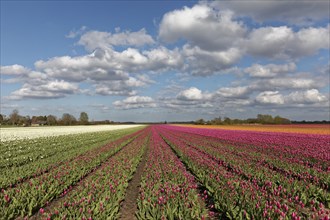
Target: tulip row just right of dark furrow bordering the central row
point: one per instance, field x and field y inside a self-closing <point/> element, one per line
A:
<point x="240" y="193"/>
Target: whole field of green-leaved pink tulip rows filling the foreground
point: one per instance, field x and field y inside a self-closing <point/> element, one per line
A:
<point x="183" y="172"/>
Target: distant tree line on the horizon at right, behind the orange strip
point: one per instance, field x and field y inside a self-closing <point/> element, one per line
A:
<point x="261" y="119"/>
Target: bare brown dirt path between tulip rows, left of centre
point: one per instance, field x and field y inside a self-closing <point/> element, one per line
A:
<point x="129" y="205"/>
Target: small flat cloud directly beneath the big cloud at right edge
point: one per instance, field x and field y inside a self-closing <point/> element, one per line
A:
<point x="270" y="70"/>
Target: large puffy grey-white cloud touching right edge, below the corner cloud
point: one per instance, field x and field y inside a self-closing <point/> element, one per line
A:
<point x="283" y="43"/>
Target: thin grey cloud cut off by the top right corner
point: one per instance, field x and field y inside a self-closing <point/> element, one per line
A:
<point x="295" y="12"/>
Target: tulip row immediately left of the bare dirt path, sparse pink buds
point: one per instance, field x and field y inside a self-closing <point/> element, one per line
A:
<point x="99" y="195"/>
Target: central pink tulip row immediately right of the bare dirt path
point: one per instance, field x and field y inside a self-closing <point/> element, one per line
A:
<point x="168" y="190"/>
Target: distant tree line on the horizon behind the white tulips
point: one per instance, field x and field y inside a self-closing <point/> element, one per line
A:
<point x="15" y="119"/>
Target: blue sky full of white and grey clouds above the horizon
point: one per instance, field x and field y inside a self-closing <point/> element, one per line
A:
<point x="166" y="60"/>
